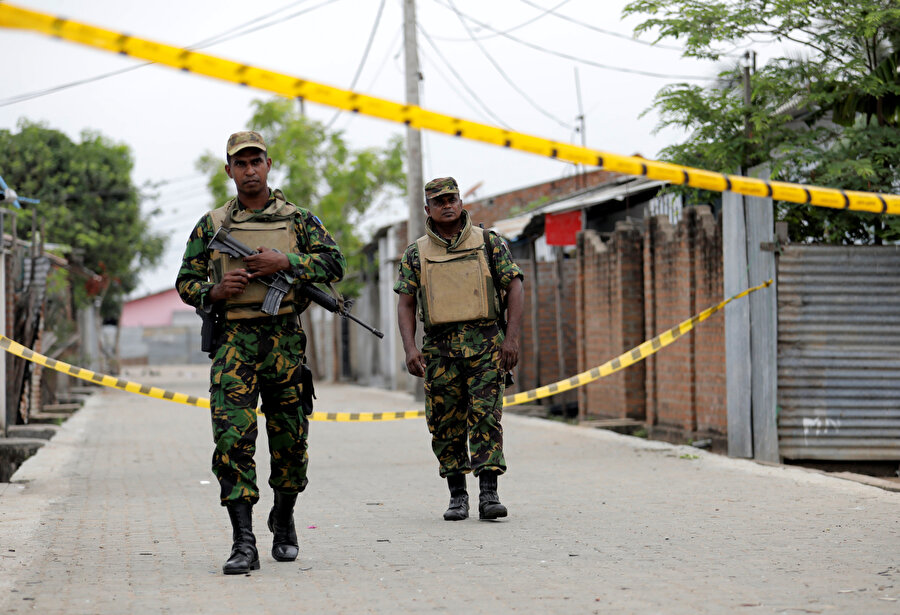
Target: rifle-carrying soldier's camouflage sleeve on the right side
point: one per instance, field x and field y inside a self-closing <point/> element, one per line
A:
<point x="319" y="259"/>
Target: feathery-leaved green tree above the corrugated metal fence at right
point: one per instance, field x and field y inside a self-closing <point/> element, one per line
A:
<point x="826" y="111"/>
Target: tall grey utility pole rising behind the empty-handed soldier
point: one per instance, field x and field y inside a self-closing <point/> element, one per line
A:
<point x="415" y="228"/>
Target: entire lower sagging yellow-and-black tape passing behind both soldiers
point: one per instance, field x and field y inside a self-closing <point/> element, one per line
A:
<point x="636" y="354"/>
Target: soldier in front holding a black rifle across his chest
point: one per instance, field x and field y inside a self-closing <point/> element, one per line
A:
<point x="256" y="354"/>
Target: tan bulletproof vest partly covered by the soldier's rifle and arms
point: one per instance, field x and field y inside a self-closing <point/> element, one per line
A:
<point x="272" y="227"/>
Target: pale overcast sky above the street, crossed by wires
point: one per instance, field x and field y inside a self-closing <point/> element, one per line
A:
<point x="169" y="118"/>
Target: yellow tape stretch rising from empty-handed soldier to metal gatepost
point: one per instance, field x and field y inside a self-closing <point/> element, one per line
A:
<point x="636" y="354"/>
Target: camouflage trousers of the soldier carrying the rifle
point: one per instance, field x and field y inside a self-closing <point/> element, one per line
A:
<point x="258" y="358"/>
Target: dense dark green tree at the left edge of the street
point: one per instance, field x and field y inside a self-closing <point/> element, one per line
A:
<point x="88" y="203"/>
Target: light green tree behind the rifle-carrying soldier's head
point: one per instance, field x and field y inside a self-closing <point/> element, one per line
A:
<point x="316" y="169"/>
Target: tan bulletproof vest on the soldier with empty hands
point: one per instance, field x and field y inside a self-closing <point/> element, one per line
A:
<point x="455" y="283"/>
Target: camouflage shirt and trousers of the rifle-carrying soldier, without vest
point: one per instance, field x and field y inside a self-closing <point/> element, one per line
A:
<point x="259" y="357"/>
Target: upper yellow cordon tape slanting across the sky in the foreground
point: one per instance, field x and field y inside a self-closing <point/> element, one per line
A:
<point x="293" y="87"/>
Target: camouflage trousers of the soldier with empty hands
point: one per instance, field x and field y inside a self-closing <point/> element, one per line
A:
<point x="463" y="407"/>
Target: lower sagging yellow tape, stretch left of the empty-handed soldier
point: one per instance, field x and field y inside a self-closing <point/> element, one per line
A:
<point x="112" y="382"/>
